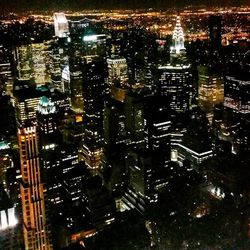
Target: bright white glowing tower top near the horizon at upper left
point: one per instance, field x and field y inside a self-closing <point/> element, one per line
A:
<point x="61" y="25"/>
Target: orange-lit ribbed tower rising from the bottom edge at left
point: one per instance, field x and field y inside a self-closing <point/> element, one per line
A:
<point x="35" y="226"/>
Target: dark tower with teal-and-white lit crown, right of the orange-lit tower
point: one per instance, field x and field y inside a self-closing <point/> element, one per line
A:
<point x="49" y="146"/>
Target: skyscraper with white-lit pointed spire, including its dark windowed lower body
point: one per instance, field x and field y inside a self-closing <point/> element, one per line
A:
<point x="175" y="79"/>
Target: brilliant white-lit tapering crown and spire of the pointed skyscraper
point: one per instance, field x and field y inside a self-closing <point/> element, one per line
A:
<point x="178" y="38"/>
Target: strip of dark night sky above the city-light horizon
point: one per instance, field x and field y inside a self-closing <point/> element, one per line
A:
<point x="110" y="4"/>
